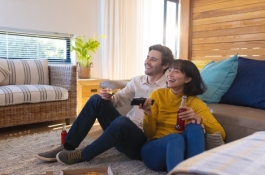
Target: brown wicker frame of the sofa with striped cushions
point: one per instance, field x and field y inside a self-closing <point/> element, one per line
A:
<point x="62" y="76"/>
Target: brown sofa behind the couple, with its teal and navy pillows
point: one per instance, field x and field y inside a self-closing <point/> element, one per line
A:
<point x="239" y="118"/>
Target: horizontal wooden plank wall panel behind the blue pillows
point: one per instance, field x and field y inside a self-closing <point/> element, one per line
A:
<point x="221" y="28"/>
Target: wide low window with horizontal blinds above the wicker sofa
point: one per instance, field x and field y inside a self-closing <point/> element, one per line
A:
<point x="16" y="45"/>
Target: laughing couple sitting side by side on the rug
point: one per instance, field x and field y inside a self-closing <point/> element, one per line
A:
<point x="148" y="131"/>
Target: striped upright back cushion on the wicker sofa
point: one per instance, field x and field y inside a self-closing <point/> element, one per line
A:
<point x="25" y="71"/>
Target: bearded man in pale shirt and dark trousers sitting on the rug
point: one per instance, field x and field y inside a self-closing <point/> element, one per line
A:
<point x="123" y="133"/>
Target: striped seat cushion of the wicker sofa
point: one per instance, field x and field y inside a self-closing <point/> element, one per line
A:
<point x="18" y="94"/>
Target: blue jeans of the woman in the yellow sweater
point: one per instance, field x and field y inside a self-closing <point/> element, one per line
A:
<point x="165" y="153"/>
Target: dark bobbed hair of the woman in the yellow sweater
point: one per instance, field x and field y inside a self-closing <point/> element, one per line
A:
<point x="196" y="86"/>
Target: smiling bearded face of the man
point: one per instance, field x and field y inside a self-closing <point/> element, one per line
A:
<point x="153" y="63"/>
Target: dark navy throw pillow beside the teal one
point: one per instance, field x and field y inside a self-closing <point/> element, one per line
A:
<point x="248" y="86"/>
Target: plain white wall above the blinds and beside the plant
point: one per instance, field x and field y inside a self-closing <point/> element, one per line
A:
<point x="78" y="17"/>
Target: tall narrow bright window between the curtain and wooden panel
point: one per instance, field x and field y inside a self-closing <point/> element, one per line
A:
<point x="171" y="29"/>
